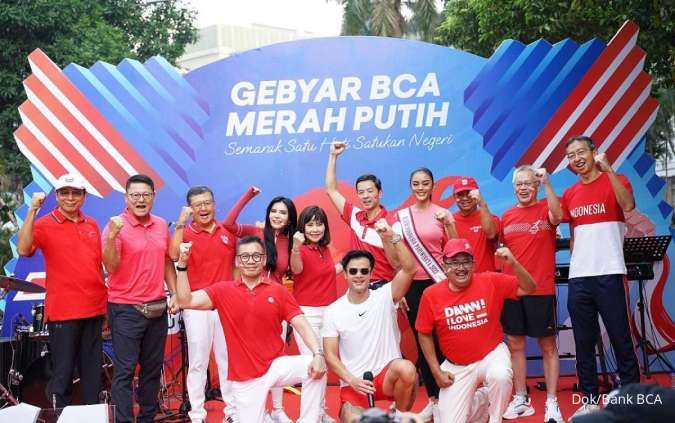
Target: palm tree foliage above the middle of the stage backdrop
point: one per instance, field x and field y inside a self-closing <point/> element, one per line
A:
<point x="386" y="18"/>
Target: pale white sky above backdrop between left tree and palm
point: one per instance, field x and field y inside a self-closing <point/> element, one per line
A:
<point x="319" y="17"/>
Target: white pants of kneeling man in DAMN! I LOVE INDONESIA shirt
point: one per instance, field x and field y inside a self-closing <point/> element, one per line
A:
<point x="494" y="370"/>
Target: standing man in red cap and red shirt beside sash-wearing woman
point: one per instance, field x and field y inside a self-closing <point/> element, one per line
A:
<point x="475" y="223"/>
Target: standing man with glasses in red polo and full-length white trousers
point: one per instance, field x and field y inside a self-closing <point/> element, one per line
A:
<point x="211" y="261"/>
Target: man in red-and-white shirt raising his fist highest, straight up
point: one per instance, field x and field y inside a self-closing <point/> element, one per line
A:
<point x="362" y="222"/>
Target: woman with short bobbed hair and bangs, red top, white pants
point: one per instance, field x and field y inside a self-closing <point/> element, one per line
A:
<point x="314" y="281"/>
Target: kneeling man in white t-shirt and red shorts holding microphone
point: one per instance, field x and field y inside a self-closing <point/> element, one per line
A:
<point x="361" y="326"/>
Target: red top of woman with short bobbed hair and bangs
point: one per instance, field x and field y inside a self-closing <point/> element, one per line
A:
<point x="316" y="285"/>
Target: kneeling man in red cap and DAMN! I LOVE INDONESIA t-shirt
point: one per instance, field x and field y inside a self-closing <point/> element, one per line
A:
<point x="465" y="315"/>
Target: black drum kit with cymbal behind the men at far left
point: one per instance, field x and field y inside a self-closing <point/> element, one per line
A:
<point x="31" y="364"/>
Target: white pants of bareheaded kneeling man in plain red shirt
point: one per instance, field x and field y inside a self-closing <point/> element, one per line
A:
<point x="250" y="396"/>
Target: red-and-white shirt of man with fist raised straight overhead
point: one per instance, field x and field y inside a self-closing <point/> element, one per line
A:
<point x="365" y="237"/>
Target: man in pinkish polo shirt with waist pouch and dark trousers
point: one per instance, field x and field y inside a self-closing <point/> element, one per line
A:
<point x="135" y="253"/>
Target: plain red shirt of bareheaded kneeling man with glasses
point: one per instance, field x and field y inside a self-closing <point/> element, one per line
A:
<point x="251" y="321"/>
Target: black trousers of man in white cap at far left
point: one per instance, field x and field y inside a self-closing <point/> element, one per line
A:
<point x="75" y="342"/>
